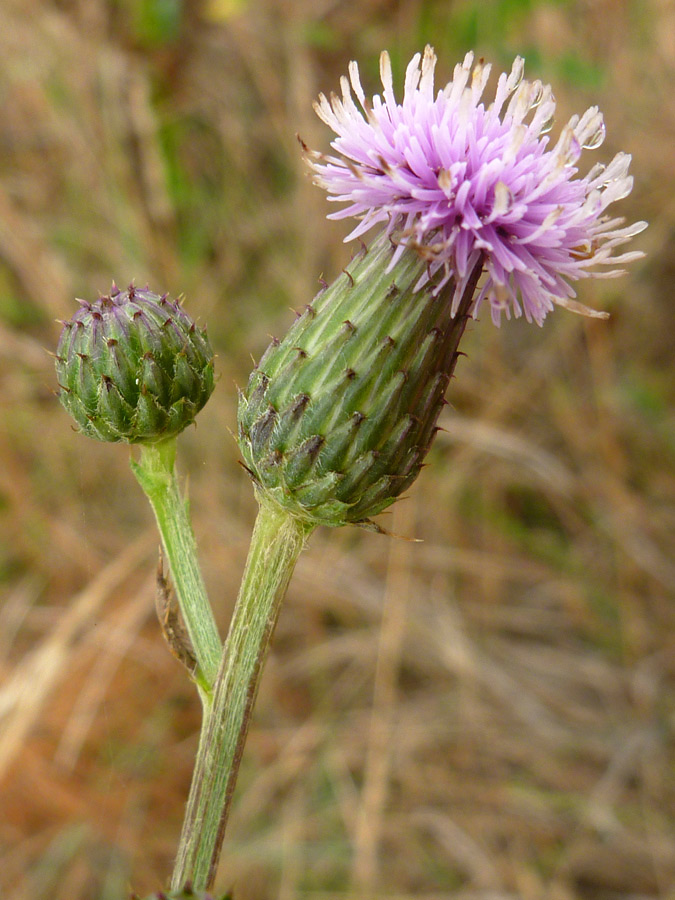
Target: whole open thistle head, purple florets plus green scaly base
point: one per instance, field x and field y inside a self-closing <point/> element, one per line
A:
<point x="473" y="207"/>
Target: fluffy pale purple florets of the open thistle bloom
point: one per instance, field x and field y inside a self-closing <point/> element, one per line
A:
<point x="463" y="184"/>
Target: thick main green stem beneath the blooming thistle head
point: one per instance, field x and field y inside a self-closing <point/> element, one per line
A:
<point x="278" y="538"/>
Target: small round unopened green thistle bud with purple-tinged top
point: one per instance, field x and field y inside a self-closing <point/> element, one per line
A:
<point x="133" y="367"/>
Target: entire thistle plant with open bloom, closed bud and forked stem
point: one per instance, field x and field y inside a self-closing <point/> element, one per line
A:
<point x="473" y="208"/>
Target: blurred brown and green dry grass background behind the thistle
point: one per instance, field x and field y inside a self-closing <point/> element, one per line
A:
<point x="485" y="715"/>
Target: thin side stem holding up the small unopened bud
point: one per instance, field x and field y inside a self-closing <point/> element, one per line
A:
<point x="156" y="474"/>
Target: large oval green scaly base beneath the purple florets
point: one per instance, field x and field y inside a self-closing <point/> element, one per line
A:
<point x="338" y="416"/>
